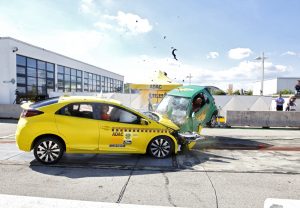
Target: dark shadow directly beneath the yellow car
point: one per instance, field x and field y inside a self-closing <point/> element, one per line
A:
<point x="72" y="166"/>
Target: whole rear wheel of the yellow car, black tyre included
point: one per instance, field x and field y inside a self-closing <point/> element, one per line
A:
<point x="48" y="150"/>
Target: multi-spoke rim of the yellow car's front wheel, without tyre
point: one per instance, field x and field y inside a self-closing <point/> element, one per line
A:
<point x="160" y="147"/>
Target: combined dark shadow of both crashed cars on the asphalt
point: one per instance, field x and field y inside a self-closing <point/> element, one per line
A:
<point x="103" y="165"/>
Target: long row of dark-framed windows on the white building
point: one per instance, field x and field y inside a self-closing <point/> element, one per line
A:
<point x="36" y="77"/>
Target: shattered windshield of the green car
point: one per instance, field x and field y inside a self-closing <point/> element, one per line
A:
<point x="175" y="108"/>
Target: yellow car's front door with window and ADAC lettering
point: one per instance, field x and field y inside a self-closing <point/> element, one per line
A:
<point x="121" y="131"/>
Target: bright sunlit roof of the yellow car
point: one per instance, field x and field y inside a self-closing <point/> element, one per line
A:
<point x="87" y="99"/>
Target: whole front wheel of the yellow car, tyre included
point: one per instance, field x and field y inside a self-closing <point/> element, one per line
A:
<point x="160" y="147"/>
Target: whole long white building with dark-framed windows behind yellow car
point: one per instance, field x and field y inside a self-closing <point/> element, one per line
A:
<point x="34" y="72"/>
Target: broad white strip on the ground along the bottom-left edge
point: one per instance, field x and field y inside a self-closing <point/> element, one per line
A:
<point x="13" y="201"/>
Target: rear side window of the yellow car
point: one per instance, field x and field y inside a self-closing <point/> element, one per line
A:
<point x="83" y="110"/>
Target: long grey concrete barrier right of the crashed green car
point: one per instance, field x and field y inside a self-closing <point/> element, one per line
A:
<point x="263" y="118"/>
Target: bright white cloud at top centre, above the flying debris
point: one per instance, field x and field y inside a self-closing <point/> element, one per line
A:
<point x="132" y="23"/>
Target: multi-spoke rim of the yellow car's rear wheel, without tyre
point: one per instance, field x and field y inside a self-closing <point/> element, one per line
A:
<point x="48" y="151"/>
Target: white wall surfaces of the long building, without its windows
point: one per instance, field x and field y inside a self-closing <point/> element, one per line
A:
<point x="8" y="65"/>
